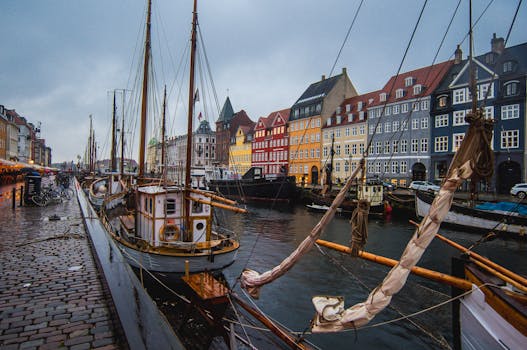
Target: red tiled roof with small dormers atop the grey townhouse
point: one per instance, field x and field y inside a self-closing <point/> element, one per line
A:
<point x="428" y="77"/>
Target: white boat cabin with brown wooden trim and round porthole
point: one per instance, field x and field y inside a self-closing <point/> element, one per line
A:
<point x="161" y="219"/>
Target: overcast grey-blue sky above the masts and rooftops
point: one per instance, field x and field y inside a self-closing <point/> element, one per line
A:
<point x="60" y="58"/>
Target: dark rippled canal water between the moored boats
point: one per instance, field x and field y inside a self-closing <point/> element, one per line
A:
<point x="270" y="235"/>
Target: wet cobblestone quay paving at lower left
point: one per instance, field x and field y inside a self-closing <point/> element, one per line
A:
<point x="51" y="293"/>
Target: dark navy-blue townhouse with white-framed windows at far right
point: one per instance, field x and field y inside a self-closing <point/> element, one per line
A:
<point x="500" y="76"/>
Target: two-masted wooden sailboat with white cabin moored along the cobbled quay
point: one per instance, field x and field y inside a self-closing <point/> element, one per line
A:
<point x="170" y="228"/>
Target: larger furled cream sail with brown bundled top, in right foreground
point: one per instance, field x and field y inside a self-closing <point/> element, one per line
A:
<point x="471" y="160"/>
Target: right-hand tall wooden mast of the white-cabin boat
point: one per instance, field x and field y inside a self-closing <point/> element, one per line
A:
<point x="188" y="163"/>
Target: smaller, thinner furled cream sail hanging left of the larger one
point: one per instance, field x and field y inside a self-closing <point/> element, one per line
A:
<point x="252" y="280"/>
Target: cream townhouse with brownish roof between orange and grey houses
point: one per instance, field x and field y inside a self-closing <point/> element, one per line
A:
<point x="346" y="132"/>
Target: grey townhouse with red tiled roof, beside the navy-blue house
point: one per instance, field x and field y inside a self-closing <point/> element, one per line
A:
<point x="399" y="126"/>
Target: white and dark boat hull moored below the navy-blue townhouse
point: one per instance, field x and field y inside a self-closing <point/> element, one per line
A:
<point x="469" y="218"/>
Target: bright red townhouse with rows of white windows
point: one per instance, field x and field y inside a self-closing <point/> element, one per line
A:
<point x="270" y="145"/>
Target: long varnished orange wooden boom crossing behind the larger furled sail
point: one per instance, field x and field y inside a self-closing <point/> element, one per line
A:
<point x="419" y="271"/>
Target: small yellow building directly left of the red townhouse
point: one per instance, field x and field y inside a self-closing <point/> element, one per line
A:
<point x="241" y="149"/>
